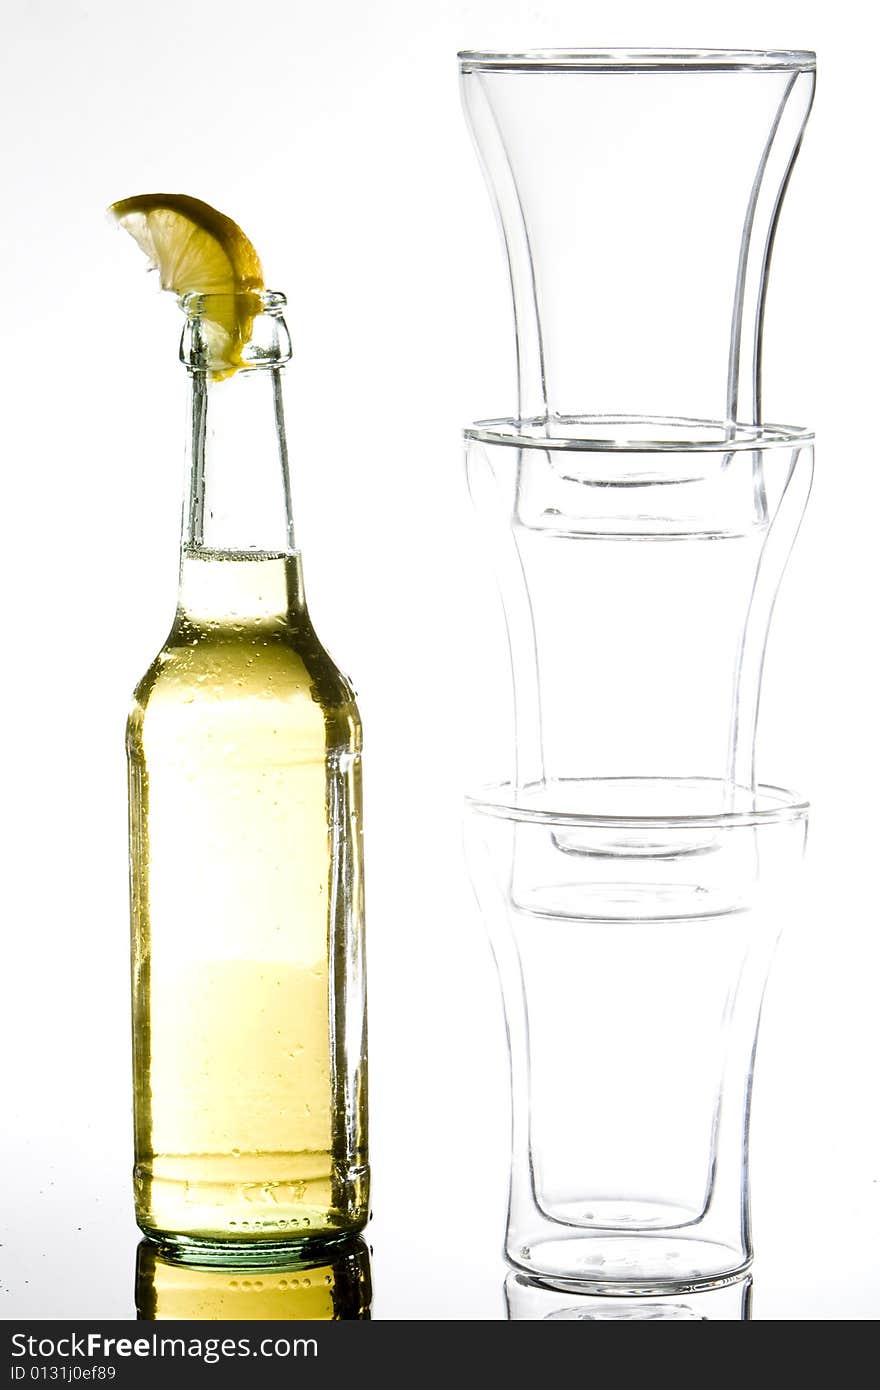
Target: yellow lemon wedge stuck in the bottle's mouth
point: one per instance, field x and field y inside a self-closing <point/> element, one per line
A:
<point x="199" y="251"/>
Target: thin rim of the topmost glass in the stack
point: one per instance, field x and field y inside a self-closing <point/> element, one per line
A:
<point x="640" y="60"/>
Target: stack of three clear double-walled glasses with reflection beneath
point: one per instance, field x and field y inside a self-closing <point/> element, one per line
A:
<point x="633" y="871"/>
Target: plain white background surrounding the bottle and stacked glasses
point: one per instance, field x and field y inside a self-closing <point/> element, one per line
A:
<point x="333" y="133"/>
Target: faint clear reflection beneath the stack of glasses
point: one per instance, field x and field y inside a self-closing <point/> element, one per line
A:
<point x="530" y="1300"/>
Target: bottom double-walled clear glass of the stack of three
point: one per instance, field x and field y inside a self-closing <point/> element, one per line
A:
<point x="633" y="924"/>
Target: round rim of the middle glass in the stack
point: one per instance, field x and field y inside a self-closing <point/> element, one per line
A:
<point x="703" y="436"/>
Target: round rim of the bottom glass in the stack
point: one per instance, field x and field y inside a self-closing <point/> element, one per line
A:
<point x="769" y="806"/>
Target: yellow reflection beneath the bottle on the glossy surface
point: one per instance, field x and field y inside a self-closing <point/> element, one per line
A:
<point x="325" y="1288"/>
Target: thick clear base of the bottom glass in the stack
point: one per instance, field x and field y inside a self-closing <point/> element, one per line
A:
<point x="629" y="1266"/>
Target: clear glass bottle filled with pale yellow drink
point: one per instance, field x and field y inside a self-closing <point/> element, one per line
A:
<point x="247" y="860"/>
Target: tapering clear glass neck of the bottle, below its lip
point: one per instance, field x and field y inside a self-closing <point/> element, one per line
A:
<point x="238" y="555"/>
